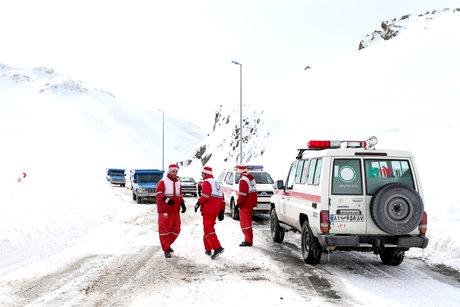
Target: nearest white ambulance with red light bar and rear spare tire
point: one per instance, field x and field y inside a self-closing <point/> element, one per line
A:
<point x="347" y="195"/>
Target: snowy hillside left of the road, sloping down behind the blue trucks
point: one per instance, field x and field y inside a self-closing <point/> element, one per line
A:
<point x="64" y="135"/>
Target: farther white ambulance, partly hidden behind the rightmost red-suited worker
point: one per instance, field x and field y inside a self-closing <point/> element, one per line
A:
<point x="230" y="179"/>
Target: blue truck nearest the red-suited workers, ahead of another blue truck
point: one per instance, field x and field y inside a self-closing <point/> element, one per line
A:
<point x="144" y="183"/>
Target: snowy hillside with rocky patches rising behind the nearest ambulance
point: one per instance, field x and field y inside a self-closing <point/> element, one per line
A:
<point x="403" y="90"/>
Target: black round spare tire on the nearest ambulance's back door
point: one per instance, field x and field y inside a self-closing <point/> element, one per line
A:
<point x="396" y="208"/>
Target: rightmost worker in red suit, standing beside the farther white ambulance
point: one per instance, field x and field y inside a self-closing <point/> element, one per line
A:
<point x="247" y="200"/>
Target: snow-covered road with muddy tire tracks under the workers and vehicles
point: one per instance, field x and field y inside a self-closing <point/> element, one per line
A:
<point x="121" y="263"/>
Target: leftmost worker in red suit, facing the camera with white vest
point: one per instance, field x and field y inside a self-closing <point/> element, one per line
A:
<point x="169" y="201"/>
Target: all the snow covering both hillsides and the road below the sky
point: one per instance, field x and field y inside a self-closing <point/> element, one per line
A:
<point x="64" y="215"/>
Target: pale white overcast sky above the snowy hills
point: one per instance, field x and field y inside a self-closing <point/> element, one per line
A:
<point x="177" y="55"/>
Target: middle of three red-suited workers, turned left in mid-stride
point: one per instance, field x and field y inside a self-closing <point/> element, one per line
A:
<point x="212" y="206"/>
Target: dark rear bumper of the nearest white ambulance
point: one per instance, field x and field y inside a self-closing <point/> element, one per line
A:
<point x="370" y="242"/>
